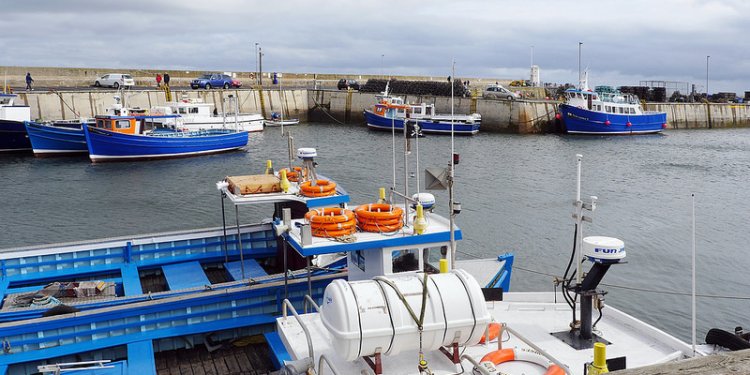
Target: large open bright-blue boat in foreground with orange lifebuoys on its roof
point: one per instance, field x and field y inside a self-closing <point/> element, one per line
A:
<point x="138" y="298"/>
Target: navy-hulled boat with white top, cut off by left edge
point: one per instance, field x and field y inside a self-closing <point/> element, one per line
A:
<point x="12" y="132"/>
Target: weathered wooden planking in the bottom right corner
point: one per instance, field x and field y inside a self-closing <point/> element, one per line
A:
<point x="733" y="363"/>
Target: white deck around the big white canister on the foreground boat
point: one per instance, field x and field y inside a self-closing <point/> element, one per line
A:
<point x="535" y="316"/>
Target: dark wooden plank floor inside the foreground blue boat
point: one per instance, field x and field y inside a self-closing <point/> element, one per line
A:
<point x="251" y="359"/>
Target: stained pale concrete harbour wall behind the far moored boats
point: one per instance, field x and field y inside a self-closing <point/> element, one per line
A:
<point x="502" y="116"/>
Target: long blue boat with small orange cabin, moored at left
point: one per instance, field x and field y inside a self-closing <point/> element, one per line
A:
<point x="139" y="137"/>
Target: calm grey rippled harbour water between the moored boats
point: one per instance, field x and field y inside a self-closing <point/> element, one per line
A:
<point x="516" y="193"/>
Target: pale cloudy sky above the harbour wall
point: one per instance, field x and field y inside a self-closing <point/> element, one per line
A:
<point x="624" y="42"/>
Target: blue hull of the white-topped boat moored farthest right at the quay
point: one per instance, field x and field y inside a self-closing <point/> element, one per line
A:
<point x="582" y="121"/>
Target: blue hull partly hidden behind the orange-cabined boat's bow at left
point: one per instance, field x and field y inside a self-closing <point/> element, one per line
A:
<point x="56" y="140"/>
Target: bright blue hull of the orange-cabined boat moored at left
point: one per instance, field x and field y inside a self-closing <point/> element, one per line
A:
<point x="104" y="145"/>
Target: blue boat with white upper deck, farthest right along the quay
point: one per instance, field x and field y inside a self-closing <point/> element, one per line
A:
<point x="607" y="112"/>
